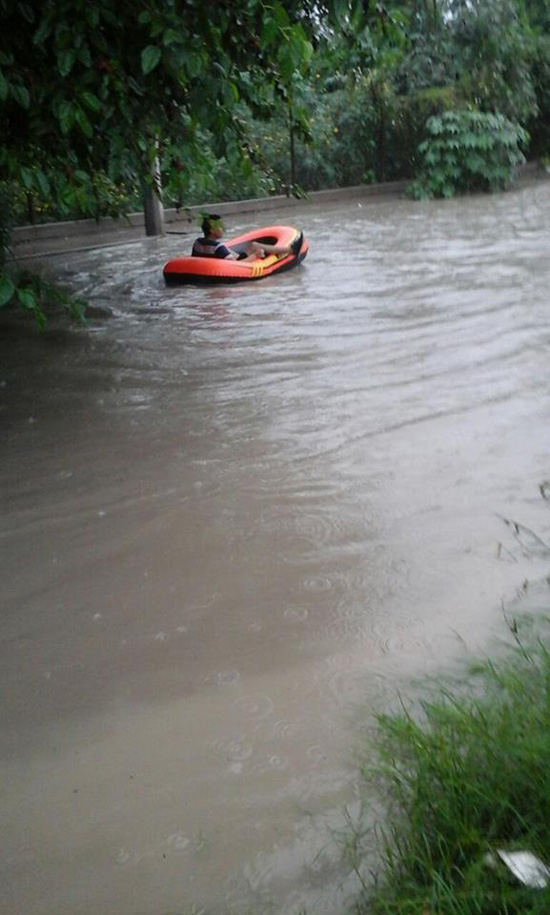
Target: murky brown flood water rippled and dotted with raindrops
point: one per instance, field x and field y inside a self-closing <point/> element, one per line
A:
<point x="235" y="522"/>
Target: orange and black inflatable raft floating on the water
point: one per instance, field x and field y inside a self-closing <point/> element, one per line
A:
<point x="221" y="270"/>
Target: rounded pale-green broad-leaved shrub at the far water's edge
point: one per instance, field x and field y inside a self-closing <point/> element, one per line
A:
<point x="468" y="151"/>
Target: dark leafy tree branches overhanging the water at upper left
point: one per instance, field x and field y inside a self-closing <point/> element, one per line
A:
<point x="88" y="89"/>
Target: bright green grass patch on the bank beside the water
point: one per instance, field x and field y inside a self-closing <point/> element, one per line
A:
<point x="461" y="775"/>
